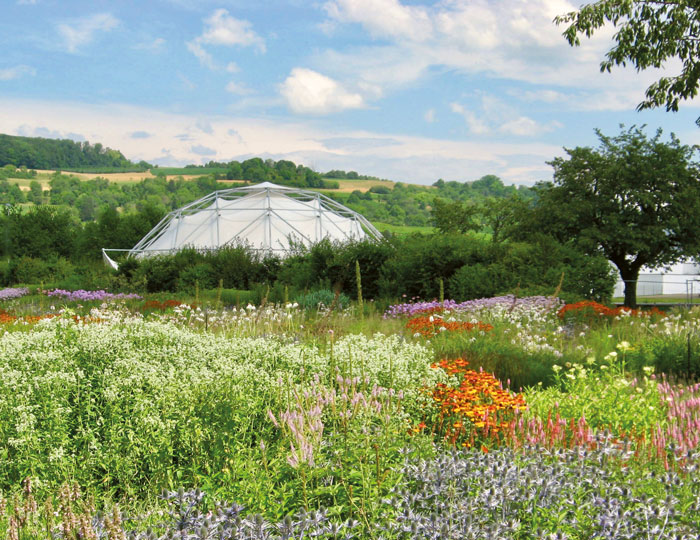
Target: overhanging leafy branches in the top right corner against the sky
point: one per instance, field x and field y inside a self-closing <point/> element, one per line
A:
<point x="649" y="34"/>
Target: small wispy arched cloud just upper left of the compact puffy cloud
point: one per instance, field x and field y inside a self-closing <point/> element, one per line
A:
<point x="221" y="29"/>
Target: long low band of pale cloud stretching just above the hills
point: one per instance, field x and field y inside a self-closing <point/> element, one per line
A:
<point x="398" y="157"/>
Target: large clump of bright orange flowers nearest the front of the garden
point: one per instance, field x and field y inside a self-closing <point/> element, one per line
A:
<point x="478" y="408"/>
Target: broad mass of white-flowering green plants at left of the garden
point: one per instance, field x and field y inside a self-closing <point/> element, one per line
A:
<point x="131" y="408"/>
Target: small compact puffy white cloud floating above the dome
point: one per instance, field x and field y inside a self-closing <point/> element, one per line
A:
<point x="307" y="91"/>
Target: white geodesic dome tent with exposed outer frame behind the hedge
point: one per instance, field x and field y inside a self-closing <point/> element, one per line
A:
<point x="263" y="216"/>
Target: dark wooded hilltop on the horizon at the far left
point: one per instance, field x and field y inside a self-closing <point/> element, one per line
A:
<point x="61" y="154"/>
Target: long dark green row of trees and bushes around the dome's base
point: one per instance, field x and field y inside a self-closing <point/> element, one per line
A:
<point x="48" y="245"/>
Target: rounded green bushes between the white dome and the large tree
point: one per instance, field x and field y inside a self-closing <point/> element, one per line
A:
<point x="476" y="268"/>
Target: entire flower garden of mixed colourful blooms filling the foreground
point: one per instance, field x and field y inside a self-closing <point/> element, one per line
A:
<point x="154" y="418"/>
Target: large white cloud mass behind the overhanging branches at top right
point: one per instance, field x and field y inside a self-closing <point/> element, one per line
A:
<point x="510" y="39"/>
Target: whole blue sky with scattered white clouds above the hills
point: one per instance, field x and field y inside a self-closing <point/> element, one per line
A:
<point x="406" y="90"/>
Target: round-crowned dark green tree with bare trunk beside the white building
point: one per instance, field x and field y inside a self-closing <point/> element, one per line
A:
<point x="633" y="199"/>
